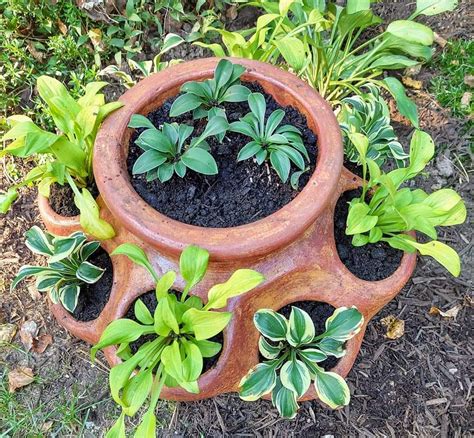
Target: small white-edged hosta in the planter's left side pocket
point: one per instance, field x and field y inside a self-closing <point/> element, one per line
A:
<point x="67" y="268"/>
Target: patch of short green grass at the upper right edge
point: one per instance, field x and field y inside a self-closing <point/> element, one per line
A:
<point x="453" y="65"/>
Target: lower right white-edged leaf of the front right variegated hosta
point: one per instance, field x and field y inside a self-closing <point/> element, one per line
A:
<point x="331" y="388"/>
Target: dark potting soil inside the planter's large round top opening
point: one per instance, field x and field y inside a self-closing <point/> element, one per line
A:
<point x="241" y="193"/>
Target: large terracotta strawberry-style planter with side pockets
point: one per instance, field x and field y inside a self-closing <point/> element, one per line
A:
<point x="294" y="247"/>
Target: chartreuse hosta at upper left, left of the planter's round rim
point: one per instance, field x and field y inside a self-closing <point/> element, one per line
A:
<point x="68" y="152"/>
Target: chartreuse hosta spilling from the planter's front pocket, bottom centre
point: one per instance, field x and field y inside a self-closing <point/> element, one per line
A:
<point x="181" y="329"/>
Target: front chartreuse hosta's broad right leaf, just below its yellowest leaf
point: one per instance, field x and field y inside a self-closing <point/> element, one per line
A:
<point x="204" y="323"/>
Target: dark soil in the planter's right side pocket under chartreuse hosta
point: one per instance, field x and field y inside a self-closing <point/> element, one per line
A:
<point x="370" y="262"/>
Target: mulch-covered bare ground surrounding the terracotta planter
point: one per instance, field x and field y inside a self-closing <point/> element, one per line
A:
<point x="419" y="385"/>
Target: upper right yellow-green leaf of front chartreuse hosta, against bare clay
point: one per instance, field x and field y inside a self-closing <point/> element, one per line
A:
<point x="241" y="281"/>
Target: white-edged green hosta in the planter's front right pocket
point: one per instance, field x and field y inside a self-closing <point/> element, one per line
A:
<point x="292" y="350"/>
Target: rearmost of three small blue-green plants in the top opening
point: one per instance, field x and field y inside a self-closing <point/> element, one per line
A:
<point x="200" y="97"/>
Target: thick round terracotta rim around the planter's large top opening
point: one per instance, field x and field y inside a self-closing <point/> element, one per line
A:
<point x="224" y="244"/>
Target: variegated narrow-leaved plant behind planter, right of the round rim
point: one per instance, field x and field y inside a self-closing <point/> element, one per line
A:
<point x="368" y="114"/>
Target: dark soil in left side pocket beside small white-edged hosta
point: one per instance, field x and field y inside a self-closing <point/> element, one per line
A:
<point x="94" y="297"/>
